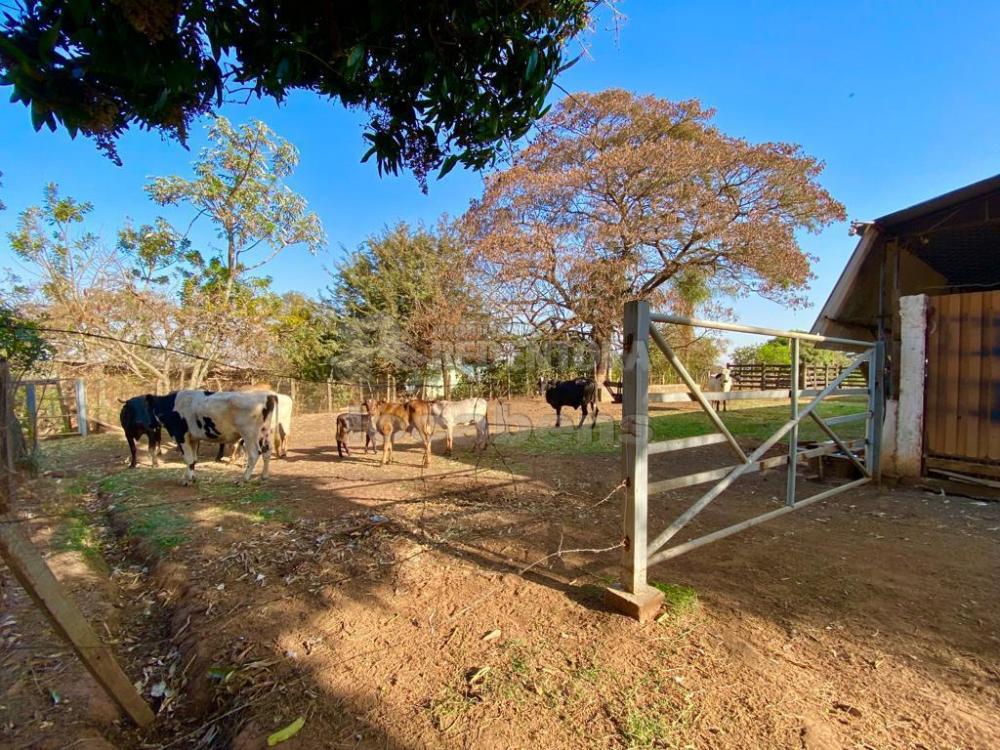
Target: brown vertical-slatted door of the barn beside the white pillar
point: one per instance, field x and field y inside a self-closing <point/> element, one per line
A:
<point x="962" y="403"/>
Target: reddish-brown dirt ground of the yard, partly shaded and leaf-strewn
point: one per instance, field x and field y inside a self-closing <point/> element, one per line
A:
<point x="394" y="607"/>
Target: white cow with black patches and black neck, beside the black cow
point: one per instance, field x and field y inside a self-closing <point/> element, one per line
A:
<point x="224" y="417"/>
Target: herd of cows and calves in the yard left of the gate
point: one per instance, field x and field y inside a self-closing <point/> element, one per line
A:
<point x="258" y="422"/>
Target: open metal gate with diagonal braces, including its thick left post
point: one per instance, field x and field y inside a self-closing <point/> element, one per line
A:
<point x="640" y="326"/>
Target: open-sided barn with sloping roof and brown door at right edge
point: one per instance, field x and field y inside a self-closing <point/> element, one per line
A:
<point x="925" y="280"/>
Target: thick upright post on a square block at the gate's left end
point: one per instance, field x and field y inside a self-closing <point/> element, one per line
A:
<point x="636" y="598"/>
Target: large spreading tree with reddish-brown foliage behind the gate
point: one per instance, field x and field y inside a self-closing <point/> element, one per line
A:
<point x="620" y="196"/>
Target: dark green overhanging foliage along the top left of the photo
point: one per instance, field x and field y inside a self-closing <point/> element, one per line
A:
<point x="443" y="81"/>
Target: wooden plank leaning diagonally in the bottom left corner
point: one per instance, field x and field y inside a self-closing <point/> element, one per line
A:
<point x="68" y="621"/>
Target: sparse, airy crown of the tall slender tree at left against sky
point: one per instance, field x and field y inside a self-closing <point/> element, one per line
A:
<point x="239" y="185"/>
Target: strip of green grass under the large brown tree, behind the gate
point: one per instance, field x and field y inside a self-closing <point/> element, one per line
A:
<point x="754" y="423"/>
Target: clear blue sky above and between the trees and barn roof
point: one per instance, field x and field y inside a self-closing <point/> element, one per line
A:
<point x="900" y="99"/>
